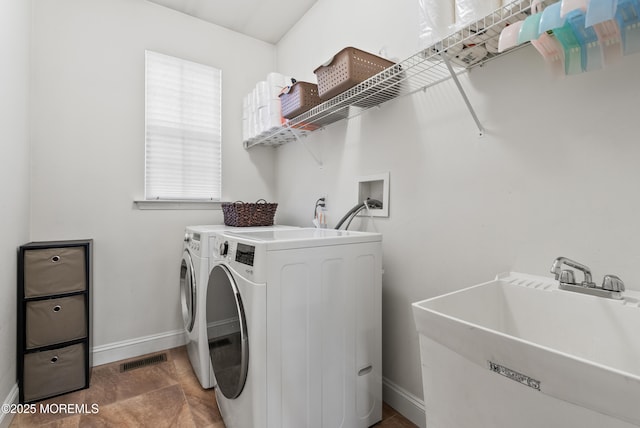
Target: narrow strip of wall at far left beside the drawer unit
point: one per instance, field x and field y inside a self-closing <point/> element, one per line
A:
<point x="15" y="25"/>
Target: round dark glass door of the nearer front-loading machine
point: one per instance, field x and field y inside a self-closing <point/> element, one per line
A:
<point x="228" y="341"/>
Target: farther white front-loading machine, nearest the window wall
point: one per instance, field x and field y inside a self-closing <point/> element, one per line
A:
<point x="194" y="276"/>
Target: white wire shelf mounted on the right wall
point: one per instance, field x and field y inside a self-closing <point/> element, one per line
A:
<point x="422" y="70"/>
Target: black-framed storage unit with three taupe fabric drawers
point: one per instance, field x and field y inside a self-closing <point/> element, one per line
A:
<point x="53" y="337"/>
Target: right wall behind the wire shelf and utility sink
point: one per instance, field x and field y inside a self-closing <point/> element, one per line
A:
<point x="556" y="173"/>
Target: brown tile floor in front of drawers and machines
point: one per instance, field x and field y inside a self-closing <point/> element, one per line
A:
<point x="166" y="394"/>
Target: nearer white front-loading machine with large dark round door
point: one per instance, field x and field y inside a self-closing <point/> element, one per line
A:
<point x="306" y="347"/>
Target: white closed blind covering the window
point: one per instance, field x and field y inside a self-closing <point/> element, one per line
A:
<point x="183" y="129"/>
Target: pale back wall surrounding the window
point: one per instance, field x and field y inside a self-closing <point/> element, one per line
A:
<point x="88" y="148"/>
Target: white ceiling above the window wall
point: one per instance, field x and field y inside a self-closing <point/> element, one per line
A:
<point x="266" y="20"/>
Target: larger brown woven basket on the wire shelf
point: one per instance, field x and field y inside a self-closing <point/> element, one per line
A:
<point x="348" y="67"/>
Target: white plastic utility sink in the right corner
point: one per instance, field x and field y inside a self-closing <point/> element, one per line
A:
<point x="553" y="343"/>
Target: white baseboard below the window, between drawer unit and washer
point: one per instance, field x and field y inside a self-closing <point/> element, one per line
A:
<point x="117" y="351"/>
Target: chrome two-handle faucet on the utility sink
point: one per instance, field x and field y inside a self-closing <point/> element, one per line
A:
<point x="612" y="286"/>
